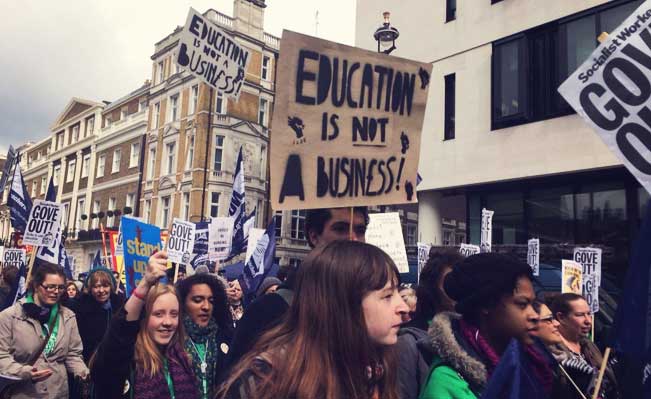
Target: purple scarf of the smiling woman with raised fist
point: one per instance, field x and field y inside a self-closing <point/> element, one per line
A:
<point x="180" y="370"/>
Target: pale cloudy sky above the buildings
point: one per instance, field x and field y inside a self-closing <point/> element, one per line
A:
<point x="100" y="50"/>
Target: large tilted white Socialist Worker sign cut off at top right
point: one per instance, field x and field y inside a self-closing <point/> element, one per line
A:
<point x="611" y="92"/>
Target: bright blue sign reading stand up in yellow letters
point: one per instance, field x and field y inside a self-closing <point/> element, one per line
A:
<point x="141" y="240"/>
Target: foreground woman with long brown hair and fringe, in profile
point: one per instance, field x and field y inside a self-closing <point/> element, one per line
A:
<point x="334" y="340"/>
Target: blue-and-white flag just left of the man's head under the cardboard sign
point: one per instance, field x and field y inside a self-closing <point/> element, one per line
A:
<point x="261" y="262"/>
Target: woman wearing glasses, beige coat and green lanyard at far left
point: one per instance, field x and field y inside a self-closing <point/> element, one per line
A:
<point x="39" y="340"/>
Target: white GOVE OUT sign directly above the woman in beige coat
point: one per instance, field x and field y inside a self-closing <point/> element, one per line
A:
<point x="43" y="224"/>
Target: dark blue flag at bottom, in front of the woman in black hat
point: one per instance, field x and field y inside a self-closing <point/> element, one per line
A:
<point x="513" y="377"/>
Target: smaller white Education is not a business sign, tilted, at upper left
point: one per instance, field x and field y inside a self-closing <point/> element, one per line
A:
<point x="212" y="55"/>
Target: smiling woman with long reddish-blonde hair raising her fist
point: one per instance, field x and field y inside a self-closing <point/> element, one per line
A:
<point x="142" y="356"/>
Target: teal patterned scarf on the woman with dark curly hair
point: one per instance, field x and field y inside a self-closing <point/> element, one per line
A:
<point x="206" y="336"/>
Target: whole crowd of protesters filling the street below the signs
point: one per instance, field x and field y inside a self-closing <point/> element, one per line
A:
<point x="340" y="325"/>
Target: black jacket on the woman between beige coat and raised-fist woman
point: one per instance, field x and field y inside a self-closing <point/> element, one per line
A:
<point x="93" y="320"/>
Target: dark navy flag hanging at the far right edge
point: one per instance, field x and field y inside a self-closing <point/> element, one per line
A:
<point x="632" y="327"/>
